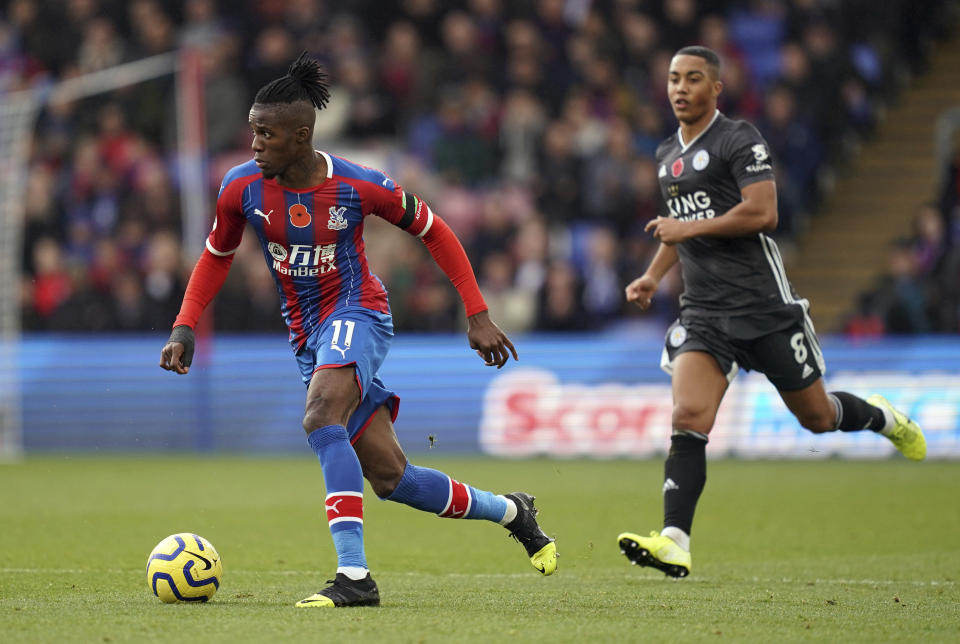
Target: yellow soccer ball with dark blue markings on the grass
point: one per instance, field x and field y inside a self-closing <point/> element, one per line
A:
<point x="184" y="567"/>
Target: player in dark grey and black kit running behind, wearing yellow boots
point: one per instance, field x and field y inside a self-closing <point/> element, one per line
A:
<point x="737" y="310"/>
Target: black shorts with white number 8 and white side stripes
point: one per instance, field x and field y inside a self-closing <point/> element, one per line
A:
<point x="780" y="344"/>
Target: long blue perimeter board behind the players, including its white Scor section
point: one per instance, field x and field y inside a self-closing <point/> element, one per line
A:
<point x="570" y="395"/>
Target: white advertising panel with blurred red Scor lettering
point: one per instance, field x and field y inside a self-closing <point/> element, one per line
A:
<point x="531" y="412"/>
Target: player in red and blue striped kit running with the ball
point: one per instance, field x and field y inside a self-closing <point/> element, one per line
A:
<point x="307" y="209"/>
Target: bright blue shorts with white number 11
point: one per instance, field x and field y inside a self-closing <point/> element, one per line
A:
<point x="355" y="337"/>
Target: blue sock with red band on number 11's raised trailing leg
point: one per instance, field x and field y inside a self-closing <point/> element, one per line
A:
<point x="432" y="491"/>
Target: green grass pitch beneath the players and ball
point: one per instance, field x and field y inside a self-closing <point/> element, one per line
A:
<point x="791" y="551"/>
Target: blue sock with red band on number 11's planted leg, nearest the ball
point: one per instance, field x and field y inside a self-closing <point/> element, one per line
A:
<point x="344" y="503"/>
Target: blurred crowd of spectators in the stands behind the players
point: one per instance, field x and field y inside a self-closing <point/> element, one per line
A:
<point x="529" y="125"/>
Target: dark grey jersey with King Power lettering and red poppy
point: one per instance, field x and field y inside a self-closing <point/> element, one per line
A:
<point x="702" y="180"/>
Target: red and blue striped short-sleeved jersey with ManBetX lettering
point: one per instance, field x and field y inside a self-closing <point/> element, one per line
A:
<point x="312" y="239"/>
